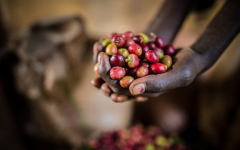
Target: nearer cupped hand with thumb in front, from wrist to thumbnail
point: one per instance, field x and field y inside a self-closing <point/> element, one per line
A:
<point x="186" y="66"/>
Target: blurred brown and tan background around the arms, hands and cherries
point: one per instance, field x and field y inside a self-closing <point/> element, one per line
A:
<point x="47" y="101"/>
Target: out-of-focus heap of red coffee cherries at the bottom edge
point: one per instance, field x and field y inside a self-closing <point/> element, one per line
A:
<point x="135" y="138"/>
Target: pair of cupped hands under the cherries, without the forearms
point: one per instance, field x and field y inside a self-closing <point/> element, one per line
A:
<point x="186" y="66"/>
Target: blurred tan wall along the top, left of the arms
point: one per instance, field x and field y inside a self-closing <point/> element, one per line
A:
<point x="101" y="17"/>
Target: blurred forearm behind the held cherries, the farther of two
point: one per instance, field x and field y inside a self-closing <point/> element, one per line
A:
<point x="169" y="19"/>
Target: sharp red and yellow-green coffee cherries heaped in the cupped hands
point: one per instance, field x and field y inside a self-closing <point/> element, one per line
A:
<point x="134" y="56"/>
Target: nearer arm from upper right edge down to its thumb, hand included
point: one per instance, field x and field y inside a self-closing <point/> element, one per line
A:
<point x="189" y="62"/>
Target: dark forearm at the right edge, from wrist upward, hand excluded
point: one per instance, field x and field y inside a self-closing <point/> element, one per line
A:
<point x="219" y="34"/>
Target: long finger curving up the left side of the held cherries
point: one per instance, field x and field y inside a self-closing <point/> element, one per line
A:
<point x="104" y="69"/>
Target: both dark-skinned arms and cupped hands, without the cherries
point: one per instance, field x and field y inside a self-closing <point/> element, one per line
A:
<point x="188" y="62"/>
